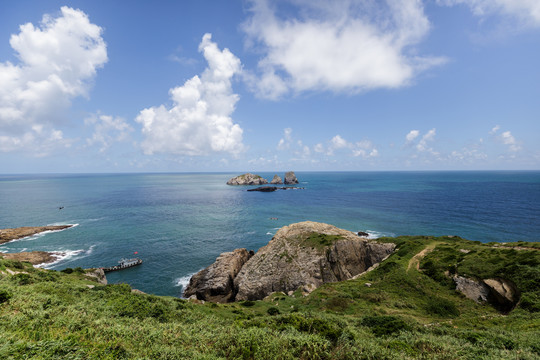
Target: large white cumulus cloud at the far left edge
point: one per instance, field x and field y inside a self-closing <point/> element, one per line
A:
<point x="57" y="61"/>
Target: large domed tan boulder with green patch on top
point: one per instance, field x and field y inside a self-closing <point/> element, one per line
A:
<point x="306" y="254"/>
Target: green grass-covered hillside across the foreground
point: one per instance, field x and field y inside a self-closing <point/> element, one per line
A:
<point x="405" y="308"/>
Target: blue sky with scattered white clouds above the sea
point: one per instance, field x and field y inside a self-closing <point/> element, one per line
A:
<point x="141" y="86"/>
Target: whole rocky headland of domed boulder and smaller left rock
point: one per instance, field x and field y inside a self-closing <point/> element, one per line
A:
<point x="300" y="256"/>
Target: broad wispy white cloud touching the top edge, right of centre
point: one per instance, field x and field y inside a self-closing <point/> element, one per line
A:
<point x="338" y="46"/>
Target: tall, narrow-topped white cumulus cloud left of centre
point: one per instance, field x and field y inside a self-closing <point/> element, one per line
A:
<point x="199" y="122"/>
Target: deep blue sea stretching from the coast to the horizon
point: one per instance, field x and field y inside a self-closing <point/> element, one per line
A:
<point x="179" y="223"/>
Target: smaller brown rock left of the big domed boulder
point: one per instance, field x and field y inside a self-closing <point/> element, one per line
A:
<point x="216" y="282"/>
